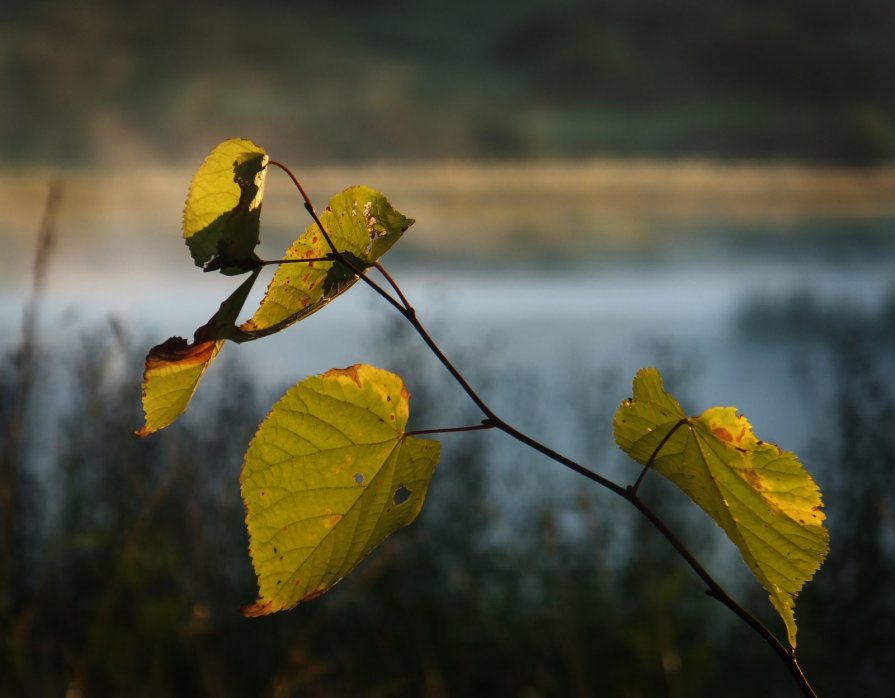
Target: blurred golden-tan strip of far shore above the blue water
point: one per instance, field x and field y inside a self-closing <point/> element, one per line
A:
<point x="486" y="205"/>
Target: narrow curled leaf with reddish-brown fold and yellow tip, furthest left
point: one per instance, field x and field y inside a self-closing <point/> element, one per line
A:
<point x="174" y="368"/>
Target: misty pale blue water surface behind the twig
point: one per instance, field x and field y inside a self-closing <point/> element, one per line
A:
<point x="681" y="308"/>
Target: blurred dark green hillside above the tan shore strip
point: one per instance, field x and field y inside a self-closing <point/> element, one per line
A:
<point x="102" y="82"/>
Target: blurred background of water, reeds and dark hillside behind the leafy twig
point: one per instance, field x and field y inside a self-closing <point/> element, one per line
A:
<point x="708" y="187"/>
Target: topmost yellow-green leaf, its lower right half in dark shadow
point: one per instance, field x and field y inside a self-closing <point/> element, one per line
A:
<point x="223" y="208"/>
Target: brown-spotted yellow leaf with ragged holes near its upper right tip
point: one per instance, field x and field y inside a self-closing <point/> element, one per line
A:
<point x="362" y="225"/>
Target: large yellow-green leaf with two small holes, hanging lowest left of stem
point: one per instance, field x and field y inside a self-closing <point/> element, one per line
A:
<point x="329" y="475"/>
